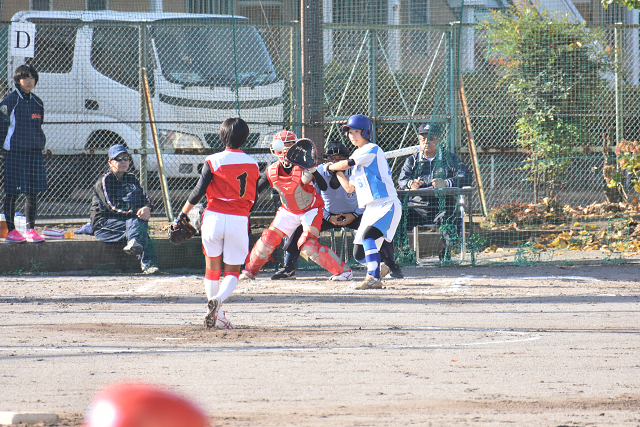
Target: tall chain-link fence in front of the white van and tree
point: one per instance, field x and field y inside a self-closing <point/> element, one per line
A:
<point x="534" y="119"/>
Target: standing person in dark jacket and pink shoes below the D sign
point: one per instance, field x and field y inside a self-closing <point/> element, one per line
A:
<point x="21" y="116"/>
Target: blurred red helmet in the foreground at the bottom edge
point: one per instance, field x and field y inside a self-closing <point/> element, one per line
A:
<point x="141" y="405"/>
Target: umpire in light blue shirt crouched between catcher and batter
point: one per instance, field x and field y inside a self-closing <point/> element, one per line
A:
<point x="340" y="210"/>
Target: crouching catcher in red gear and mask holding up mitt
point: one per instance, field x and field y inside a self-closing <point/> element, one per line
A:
<point x="301" y="204"/>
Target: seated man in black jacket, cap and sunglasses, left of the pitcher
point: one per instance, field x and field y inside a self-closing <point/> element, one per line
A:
<point x="120" y="210"/>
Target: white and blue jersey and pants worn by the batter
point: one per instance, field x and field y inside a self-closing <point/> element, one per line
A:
<point x="371" y="177"/>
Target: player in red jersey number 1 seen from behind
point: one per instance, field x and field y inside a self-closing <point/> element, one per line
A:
<point x="229" y="180"/>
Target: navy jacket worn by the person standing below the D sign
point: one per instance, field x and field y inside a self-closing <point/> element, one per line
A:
<point x="21" y="116"/>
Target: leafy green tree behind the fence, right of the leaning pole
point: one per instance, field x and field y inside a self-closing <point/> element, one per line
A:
<point x="554" y="70"/>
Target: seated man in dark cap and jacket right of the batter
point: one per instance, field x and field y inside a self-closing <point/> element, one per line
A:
<point x="429" y="168"/>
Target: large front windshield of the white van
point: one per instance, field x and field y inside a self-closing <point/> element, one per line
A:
<point x="204" y="56"/>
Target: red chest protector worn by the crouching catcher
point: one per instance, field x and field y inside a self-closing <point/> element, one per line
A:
<point x="296" y="197"/>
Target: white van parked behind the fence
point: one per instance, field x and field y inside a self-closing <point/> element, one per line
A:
<point x="202" y="69"/>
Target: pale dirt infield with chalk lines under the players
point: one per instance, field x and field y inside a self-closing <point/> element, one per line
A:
<point x="546" y="346"/>
